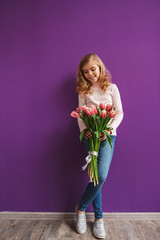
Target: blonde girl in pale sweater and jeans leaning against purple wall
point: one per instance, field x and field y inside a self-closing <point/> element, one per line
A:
<point x="94" y="86"/>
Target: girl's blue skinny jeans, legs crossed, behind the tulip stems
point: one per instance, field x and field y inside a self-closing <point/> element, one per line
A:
<point x="92" y="193"/>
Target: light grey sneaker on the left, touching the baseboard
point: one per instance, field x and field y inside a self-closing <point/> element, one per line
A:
<point x="81" y="221"/>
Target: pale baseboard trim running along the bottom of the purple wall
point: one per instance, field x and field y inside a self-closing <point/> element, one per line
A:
<point x="71" y="215"/>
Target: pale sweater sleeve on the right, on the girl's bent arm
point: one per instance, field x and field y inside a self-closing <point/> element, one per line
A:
<point x="117" y="104"/>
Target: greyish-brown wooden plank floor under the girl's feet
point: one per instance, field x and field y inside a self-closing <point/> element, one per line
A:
<point x="64" y="229"/>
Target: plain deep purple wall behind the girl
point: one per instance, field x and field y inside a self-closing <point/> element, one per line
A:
<point x="41" y="45"/>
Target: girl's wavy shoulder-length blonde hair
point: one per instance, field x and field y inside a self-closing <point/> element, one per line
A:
<point x="83" y="86"/>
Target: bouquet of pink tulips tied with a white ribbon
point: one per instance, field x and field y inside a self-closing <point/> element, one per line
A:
<point x="96" y="120"/>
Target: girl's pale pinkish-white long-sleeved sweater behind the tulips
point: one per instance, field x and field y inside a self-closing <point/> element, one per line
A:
<point x="111" y="96"/>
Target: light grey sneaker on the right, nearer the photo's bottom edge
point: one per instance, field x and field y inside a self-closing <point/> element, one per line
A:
<point x="98" y="229"/>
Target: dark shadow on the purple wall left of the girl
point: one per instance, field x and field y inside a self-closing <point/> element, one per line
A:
<point x="71" y="152"/>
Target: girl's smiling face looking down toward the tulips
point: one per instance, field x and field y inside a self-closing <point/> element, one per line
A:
<point x="91" y="71"/>
